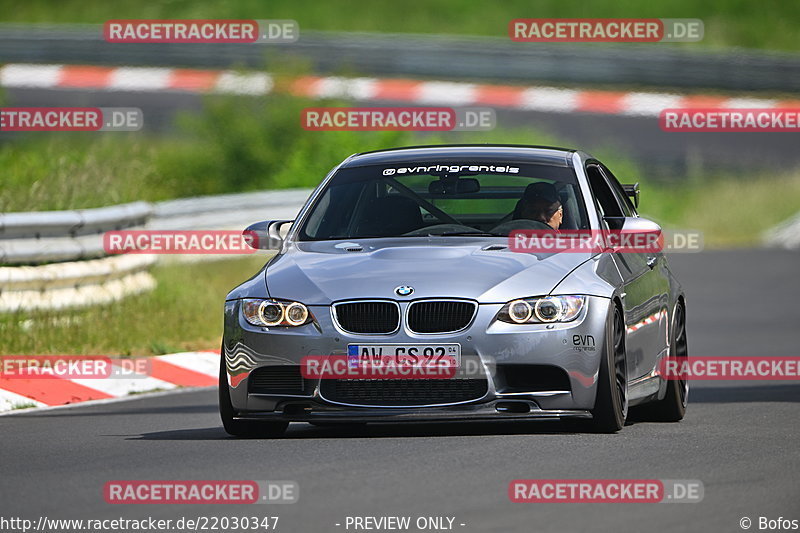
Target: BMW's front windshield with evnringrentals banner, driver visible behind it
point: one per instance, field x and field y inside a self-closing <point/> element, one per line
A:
<point x="445" y="199"/>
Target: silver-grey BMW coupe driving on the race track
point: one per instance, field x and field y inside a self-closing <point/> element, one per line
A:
<point x="401" y="293"/>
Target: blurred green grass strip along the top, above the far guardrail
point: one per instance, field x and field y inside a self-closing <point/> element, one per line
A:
<point x="769" y="24"/>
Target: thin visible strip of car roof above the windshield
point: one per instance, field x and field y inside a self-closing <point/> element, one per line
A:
<point x="503" y="153"/>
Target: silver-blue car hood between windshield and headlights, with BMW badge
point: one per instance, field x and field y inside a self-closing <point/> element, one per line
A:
<point x="318" y="273"/>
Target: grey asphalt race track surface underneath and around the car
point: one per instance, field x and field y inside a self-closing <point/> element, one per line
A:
<point x="739" y="439"/>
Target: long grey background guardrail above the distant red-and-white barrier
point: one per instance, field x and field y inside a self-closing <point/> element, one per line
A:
<point x="494" y="58"/>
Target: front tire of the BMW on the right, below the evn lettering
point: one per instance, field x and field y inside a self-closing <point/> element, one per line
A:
<point x="611" y="404"/>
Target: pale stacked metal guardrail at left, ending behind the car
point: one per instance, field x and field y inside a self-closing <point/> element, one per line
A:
<point x="83" y="277"/>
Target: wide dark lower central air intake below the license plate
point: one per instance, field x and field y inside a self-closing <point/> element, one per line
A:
<point x="401" y="392"/>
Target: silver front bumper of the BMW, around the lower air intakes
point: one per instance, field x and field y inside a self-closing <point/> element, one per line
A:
<point x="575" y="348"/>
